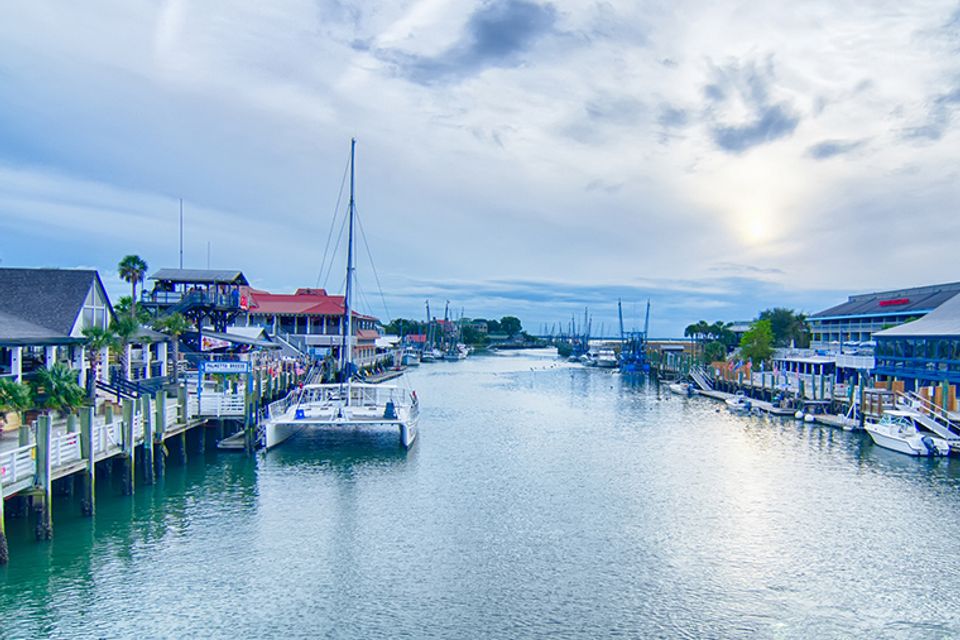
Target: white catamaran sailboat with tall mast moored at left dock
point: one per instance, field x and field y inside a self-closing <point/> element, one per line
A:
<point x="345" y="404"/>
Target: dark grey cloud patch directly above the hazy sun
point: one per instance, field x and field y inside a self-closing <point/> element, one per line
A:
<point x="746" y="88"/>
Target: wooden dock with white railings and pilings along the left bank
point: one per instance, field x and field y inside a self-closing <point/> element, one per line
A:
<point x="134" y="436"/>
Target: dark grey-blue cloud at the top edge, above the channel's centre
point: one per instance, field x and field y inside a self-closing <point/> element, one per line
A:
<point x="494" y="36"/>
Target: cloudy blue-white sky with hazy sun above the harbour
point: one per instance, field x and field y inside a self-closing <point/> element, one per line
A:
<point x="514" y="157"/>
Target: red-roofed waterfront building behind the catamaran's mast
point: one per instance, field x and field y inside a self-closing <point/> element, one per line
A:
<point x="312" y="321"/>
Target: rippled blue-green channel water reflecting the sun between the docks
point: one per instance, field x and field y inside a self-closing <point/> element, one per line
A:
<point x="542" y="500"/>
